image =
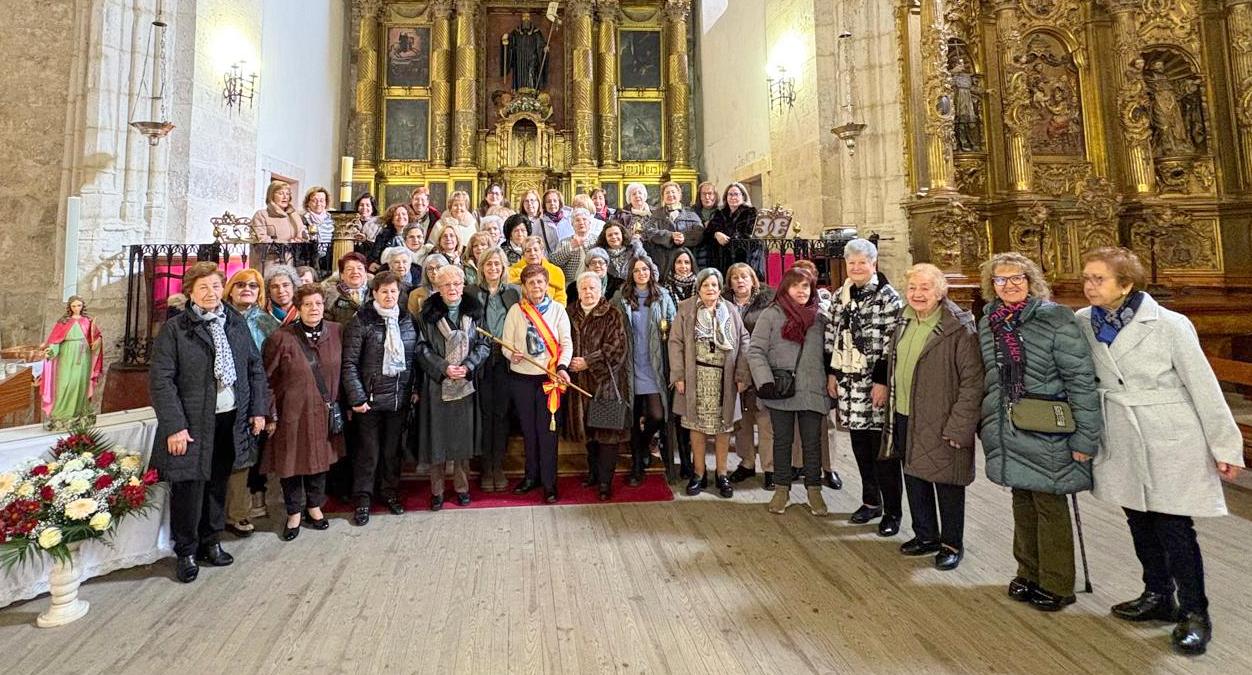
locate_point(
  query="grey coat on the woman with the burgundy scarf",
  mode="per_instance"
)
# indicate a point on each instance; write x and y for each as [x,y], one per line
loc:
[769,350]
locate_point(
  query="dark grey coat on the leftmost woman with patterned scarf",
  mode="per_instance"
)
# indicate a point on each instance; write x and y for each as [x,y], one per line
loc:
[185,394]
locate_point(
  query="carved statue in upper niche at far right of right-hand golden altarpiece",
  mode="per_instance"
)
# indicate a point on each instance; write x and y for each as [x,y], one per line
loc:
[1179,125]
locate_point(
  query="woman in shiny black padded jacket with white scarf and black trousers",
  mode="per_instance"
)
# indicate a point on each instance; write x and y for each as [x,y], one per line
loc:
[379,349]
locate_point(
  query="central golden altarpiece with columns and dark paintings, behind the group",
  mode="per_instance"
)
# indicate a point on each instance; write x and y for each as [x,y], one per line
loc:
[459,95]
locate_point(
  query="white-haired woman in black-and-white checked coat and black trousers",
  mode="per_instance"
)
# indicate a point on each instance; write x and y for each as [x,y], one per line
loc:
[862,319]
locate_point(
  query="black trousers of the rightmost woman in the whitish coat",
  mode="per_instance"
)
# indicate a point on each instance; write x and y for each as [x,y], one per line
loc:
[1167,549]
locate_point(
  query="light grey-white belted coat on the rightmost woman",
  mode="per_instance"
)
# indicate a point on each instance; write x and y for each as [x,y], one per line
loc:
[1166,420]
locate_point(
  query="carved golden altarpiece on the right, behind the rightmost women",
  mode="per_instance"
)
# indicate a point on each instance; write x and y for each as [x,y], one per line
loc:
[1055,127]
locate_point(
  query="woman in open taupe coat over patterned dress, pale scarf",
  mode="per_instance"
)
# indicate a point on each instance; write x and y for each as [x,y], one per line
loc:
[709,370]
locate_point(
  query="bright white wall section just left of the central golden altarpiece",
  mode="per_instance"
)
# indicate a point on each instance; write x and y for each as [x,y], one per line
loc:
[302,92]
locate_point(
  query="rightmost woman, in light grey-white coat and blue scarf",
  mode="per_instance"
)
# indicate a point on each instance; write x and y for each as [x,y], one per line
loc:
[1169,441]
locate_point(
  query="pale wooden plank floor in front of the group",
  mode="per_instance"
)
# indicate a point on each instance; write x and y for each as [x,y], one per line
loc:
[697,585]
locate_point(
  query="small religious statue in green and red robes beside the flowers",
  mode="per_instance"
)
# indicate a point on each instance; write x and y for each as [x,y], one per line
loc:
[73,363]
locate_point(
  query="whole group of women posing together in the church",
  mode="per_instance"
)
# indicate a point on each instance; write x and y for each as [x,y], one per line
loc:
[632,339]
